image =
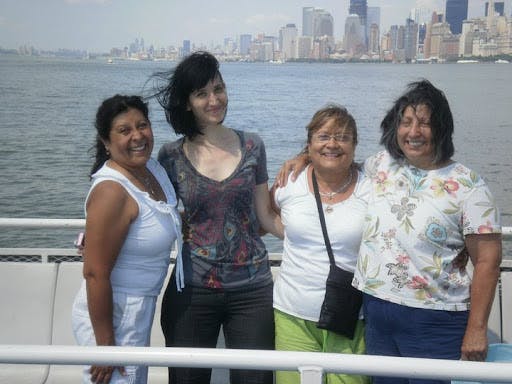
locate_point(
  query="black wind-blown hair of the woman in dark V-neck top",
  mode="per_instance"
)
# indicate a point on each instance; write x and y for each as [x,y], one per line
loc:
[174,88]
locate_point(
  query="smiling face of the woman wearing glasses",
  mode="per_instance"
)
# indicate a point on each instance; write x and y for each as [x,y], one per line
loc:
[332,147]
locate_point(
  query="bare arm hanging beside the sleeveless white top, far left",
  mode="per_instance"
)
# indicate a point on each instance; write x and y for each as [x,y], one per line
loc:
[110,211]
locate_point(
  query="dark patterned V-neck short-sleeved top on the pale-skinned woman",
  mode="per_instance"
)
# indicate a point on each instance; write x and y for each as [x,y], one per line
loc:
[223,248]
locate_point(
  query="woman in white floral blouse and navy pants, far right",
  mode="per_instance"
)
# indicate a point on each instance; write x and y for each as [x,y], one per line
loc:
[424,209]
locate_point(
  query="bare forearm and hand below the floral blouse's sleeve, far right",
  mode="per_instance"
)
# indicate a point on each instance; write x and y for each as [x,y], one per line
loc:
[485,253]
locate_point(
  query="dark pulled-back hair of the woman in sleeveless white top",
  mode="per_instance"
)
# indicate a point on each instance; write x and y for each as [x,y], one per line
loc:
[108,110]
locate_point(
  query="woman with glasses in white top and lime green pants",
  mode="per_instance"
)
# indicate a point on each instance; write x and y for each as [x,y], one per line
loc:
[299,289]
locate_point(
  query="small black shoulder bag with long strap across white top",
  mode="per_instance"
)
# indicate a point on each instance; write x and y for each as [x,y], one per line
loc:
[342,302]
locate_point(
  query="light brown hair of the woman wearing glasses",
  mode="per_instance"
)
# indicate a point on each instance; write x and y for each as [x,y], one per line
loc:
[339,114]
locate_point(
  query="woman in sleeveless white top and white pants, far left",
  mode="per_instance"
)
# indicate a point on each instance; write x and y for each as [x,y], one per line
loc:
[132,222]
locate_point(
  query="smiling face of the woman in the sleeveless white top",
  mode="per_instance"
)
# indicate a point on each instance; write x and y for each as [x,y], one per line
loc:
[130,140]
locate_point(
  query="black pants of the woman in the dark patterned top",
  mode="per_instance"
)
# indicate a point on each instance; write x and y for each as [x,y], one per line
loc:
[193,317]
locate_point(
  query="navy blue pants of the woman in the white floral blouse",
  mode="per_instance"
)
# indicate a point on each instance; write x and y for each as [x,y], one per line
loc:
[398,330]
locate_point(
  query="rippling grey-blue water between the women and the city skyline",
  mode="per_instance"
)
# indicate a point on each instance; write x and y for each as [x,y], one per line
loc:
[47,109]
